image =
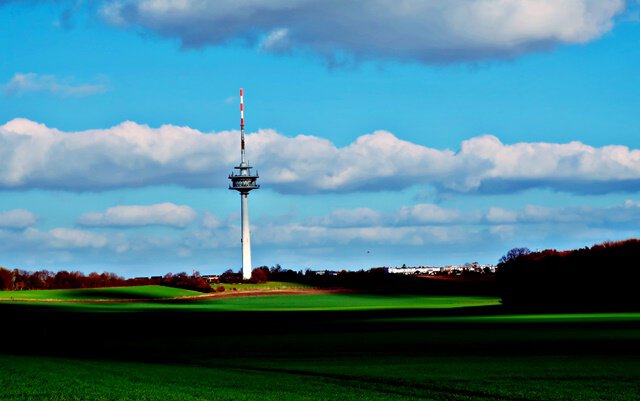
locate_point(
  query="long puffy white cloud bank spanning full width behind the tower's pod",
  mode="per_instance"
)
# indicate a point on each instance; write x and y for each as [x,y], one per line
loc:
[133,155]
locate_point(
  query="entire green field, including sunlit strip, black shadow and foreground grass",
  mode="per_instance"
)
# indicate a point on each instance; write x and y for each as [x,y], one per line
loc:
[308,347]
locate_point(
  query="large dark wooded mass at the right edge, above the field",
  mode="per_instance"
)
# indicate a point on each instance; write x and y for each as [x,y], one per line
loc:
[603,276]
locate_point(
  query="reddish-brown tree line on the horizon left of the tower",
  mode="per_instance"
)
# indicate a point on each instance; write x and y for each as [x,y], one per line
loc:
[18,279]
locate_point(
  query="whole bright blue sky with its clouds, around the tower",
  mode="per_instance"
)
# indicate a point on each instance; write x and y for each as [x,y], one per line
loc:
[417,133]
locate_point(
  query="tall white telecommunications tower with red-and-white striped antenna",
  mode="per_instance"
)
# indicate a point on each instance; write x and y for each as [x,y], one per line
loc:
[244,181]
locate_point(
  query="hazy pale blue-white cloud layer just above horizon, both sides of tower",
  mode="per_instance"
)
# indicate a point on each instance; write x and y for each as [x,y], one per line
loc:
[424,231]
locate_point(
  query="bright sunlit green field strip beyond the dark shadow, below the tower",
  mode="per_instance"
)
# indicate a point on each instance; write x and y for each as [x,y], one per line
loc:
[295,302]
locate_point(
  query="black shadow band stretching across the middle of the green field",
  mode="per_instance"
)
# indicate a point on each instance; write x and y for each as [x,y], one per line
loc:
[192,336]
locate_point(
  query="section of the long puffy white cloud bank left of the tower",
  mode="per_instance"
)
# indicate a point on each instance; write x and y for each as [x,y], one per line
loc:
[128,155]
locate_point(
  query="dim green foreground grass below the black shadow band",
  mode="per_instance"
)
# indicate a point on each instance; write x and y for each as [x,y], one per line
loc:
[441,378]
